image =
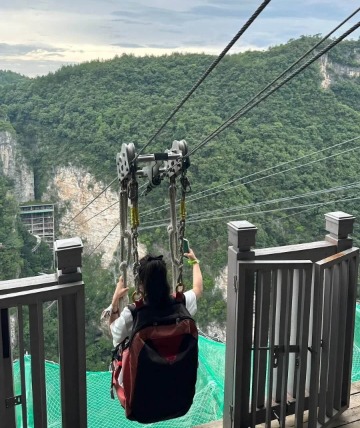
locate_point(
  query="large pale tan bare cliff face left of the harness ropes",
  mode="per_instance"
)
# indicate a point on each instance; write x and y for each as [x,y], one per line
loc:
[74,188]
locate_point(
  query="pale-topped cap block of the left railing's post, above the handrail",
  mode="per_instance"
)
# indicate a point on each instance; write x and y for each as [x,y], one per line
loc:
[68,254]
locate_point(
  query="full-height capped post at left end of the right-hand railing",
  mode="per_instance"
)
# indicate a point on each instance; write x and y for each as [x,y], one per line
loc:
[238,326]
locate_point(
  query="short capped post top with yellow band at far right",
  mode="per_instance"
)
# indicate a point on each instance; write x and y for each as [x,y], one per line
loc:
[340,226]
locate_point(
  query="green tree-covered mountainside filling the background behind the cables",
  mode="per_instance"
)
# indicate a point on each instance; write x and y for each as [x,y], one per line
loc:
[82,114]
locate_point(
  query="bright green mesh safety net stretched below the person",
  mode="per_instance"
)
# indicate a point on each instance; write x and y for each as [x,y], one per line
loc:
[103,412]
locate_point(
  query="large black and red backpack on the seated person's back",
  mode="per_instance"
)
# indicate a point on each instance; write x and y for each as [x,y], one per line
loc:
[159,363]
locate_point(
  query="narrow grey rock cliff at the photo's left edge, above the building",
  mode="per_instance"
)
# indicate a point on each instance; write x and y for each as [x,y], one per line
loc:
[14,166]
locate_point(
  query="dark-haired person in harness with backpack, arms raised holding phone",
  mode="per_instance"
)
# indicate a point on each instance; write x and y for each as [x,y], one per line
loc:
[156,373]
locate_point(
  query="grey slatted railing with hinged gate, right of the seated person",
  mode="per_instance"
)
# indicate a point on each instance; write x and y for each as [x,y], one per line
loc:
[290,327]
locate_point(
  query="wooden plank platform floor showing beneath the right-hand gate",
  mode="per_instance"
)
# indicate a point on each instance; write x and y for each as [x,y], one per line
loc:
[349,419]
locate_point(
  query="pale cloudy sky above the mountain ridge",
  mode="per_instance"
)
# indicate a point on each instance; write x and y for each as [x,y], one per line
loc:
[39,36]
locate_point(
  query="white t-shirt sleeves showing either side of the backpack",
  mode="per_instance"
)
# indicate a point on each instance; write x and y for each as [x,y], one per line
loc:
[121,328]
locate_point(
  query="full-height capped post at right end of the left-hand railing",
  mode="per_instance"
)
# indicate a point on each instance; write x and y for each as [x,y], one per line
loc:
[72,335]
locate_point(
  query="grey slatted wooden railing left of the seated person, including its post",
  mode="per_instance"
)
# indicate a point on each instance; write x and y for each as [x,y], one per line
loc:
[29,295]
